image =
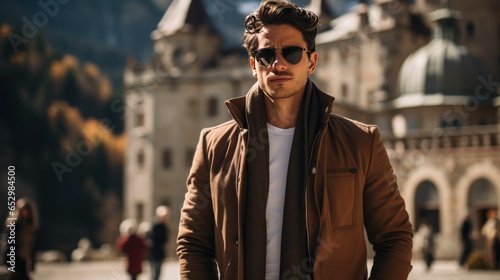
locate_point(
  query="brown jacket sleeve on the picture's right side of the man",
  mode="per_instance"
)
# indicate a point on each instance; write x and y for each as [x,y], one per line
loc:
[386,220]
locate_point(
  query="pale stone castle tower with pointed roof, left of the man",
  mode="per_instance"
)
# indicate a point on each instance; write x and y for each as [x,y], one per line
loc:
[170,99]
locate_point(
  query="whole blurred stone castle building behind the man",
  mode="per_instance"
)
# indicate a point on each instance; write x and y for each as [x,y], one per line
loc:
[426,73]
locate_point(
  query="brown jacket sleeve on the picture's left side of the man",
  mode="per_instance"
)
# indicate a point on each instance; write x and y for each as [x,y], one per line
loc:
[196,228]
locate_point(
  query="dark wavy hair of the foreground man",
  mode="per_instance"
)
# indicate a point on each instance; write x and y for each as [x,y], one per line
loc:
[280,12]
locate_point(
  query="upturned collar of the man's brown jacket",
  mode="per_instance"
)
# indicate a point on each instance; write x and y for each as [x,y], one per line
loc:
[239,107]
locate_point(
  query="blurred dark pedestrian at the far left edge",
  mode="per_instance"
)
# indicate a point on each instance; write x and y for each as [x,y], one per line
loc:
[24,226]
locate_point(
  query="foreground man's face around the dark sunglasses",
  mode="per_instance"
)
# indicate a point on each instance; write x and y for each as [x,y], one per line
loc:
[282,79]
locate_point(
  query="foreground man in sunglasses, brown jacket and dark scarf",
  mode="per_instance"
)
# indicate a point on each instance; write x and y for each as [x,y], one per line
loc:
[285,189]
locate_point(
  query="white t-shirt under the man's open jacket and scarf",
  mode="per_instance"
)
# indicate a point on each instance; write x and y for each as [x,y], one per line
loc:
[280,144]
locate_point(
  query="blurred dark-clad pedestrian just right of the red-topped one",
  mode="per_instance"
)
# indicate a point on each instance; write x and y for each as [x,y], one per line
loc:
[159,236]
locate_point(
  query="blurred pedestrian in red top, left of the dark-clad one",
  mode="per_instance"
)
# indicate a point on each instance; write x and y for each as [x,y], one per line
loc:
[133,246]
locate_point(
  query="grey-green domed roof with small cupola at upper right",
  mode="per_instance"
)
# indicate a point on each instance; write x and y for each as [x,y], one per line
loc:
[443,67]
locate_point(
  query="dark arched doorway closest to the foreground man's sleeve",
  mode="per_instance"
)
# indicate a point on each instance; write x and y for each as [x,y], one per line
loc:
[427,205]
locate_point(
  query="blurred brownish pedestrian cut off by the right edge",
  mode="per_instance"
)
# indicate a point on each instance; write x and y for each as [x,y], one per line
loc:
[491,232]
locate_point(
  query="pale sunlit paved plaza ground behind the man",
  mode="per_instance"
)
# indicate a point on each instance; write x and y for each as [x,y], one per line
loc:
[114,270]
